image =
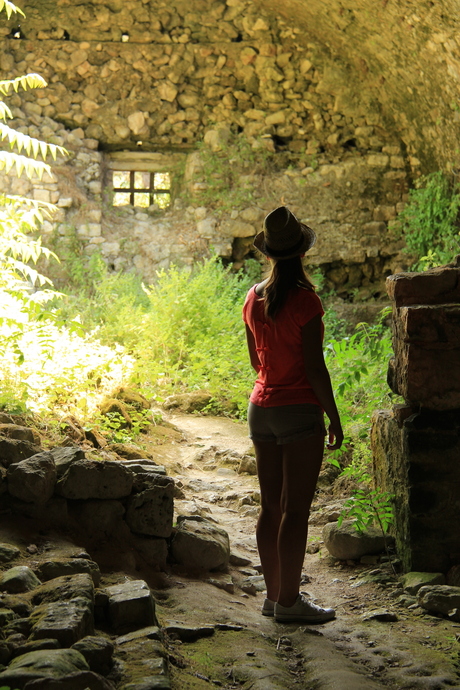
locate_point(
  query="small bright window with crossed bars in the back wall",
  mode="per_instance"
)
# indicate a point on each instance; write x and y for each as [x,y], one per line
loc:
[141,189]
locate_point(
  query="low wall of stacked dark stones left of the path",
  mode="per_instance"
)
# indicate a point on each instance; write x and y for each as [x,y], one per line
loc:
[128,499]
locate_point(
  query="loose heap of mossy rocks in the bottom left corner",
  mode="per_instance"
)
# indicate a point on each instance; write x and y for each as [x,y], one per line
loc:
[64,632]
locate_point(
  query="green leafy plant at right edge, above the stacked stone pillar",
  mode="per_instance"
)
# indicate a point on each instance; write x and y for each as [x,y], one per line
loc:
[430,221]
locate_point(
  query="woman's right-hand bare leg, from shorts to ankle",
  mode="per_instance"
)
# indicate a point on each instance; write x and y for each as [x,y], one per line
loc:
[301,465]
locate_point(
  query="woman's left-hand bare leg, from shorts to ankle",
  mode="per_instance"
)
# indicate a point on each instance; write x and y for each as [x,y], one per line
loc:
[269,457]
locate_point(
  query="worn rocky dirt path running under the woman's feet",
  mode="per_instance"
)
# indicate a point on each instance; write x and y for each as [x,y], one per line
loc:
[214,632]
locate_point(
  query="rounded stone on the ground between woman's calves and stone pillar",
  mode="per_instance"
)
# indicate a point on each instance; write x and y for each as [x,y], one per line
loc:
[345,542]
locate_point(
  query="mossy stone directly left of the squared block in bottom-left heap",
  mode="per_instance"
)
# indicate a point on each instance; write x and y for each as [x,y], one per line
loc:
[65,621]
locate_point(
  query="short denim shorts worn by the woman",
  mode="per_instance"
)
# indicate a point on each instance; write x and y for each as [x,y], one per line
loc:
[285,423]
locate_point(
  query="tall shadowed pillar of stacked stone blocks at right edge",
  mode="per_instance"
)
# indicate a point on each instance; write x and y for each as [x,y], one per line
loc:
[416,447]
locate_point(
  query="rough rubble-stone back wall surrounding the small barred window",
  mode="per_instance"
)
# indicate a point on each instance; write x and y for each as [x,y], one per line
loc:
[157,79]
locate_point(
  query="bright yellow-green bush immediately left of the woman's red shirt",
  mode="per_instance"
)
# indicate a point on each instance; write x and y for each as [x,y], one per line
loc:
[193,334]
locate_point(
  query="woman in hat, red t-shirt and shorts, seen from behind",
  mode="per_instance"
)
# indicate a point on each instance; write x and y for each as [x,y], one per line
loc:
[283,317]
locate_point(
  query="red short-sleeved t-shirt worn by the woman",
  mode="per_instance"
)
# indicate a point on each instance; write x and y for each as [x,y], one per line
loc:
[281,377]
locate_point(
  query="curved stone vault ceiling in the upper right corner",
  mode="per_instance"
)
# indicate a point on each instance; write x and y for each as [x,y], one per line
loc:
[398,56]
